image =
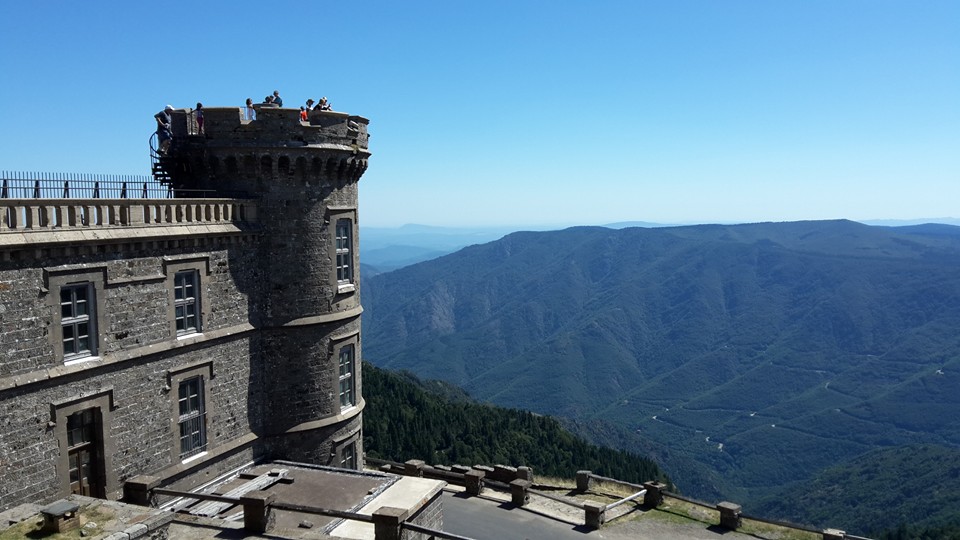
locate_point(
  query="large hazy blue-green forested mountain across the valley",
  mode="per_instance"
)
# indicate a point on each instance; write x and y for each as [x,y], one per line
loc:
[761,353]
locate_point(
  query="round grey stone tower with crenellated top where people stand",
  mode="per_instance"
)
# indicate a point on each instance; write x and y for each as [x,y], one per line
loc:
[307,305]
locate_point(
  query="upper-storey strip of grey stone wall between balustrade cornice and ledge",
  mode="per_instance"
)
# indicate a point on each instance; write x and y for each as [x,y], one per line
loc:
[133,300]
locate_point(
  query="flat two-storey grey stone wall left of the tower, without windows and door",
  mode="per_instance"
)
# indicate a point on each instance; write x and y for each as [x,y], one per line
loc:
[138,349]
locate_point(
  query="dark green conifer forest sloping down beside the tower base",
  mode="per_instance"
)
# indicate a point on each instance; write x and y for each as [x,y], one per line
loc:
[406,418]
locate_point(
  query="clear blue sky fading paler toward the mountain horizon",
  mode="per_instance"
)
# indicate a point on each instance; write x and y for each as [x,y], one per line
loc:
[548,112]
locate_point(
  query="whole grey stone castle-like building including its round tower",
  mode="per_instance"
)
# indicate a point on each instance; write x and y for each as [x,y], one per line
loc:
[187,337]
